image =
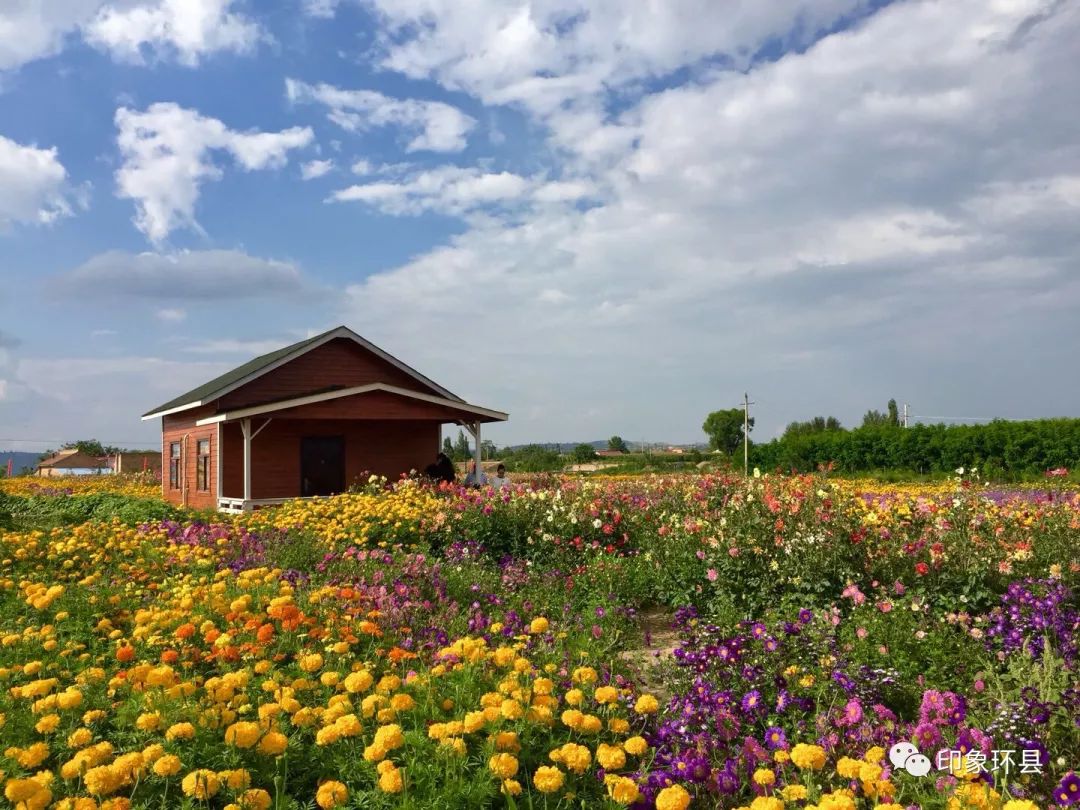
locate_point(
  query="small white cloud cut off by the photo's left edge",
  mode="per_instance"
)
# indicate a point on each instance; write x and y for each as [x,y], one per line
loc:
[34,187]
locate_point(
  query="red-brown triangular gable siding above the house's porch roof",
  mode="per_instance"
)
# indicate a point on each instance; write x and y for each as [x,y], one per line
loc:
[341,362]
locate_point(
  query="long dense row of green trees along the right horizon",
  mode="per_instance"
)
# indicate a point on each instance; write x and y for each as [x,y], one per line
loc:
[1001,450]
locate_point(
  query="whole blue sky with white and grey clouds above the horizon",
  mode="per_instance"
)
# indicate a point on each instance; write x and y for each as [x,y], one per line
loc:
[601,217]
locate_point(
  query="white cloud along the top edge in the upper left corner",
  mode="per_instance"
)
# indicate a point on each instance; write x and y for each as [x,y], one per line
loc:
[186,31]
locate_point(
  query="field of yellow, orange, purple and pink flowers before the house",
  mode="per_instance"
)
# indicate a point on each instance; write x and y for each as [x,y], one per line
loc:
[697,641]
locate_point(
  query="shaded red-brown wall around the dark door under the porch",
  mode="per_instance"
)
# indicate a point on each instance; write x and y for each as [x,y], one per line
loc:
[385,449]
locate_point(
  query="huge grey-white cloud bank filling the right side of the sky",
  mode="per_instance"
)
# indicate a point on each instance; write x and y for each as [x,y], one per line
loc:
[846,222]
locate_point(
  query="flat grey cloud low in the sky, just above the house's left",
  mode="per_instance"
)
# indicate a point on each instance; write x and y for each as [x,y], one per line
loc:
[193,276]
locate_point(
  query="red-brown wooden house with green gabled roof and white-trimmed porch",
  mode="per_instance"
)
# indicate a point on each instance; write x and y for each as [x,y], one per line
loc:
[309,420]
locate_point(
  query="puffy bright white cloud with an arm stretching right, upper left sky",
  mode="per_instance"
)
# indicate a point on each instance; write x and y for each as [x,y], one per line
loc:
[168,156]
